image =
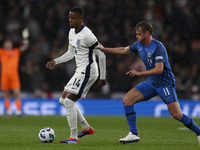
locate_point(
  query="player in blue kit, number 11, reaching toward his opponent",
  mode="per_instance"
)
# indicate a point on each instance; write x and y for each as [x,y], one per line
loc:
[160,80]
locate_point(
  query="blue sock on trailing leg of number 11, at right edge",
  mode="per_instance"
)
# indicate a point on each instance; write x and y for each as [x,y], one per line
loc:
[189,123]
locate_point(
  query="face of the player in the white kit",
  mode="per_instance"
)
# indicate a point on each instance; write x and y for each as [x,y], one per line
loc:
[75,20]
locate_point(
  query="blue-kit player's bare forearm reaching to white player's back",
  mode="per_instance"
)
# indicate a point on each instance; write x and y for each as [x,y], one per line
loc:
[117,50]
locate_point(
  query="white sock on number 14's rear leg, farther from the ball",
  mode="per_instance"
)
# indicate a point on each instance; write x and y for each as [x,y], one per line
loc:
[82,120]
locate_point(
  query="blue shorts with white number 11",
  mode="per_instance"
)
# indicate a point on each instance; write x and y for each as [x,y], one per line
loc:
[167,93]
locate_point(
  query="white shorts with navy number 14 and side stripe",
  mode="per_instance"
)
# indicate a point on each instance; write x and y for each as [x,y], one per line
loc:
[80,84]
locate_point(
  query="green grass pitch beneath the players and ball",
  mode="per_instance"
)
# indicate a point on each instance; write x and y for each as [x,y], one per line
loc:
[155,134]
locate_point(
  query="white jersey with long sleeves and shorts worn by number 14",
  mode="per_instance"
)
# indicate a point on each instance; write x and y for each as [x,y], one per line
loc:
[82,46]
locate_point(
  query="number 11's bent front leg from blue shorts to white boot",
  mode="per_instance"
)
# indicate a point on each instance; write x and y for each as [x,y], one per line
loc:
[141,92]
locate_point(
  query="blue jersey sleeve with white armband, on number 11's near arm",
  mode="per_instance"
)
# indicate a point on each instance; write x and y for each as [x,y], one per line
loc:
[159,54]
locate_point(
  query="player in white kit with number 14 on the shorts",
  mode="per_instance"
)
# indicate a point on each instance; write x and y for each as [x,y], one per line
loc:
[82,43]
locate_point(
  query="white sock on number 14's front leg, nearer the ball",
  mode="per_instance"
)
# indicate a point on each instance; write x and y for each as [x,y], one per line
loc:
[71,117]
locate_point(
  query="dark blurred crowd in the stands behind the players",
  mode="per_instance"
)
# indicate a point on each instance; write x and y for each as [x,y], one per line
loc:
[176,24]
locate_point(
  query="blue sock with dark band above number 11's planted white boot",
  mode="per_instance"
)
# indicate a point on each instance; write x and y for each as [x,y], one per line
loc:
[131,118]
